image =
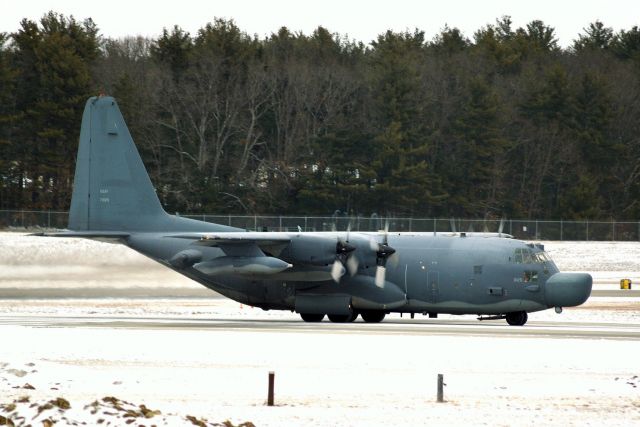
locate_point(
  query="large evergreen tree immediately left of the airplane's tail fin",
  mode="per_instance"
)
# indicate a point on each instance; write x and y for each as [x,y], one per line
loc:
[54,64]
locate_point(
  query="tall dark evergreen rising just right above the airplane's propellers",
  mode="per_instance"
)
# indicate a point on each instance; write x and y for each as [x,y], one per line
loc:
[404,183]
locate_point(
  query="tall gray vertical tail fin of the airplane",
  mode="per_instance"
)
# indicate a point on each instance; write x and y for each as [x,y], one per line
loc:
[112,190]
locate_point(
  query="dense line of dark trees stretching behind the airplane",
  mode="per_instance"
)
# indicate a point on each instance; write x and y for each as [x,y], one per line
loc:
[506,123]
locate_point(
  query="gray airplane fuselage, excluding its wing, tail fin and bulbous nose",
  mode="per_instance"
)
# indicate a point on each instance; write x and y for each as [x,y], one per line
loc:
[444,273]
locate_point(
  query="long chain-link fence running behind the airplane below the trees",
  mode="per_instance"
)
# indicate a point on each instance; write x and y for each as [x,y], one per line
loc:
[520,229]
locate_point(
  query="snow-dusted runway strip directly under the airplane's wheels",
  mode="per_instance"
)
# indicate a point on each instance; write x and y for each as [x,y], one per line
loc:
[591,330]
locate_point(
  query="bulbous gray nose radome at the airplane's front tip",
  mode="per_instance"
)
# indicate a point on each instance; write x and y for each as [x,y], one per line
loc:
[567,289]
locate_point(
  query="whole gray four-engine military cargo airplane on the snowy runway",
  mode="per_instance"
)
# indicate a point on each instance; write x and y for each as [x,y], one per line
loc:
[341,275]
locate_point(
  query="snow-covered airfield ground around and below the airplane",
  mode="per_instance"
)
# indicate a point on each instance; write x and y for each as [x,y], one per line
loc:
[328,375]
